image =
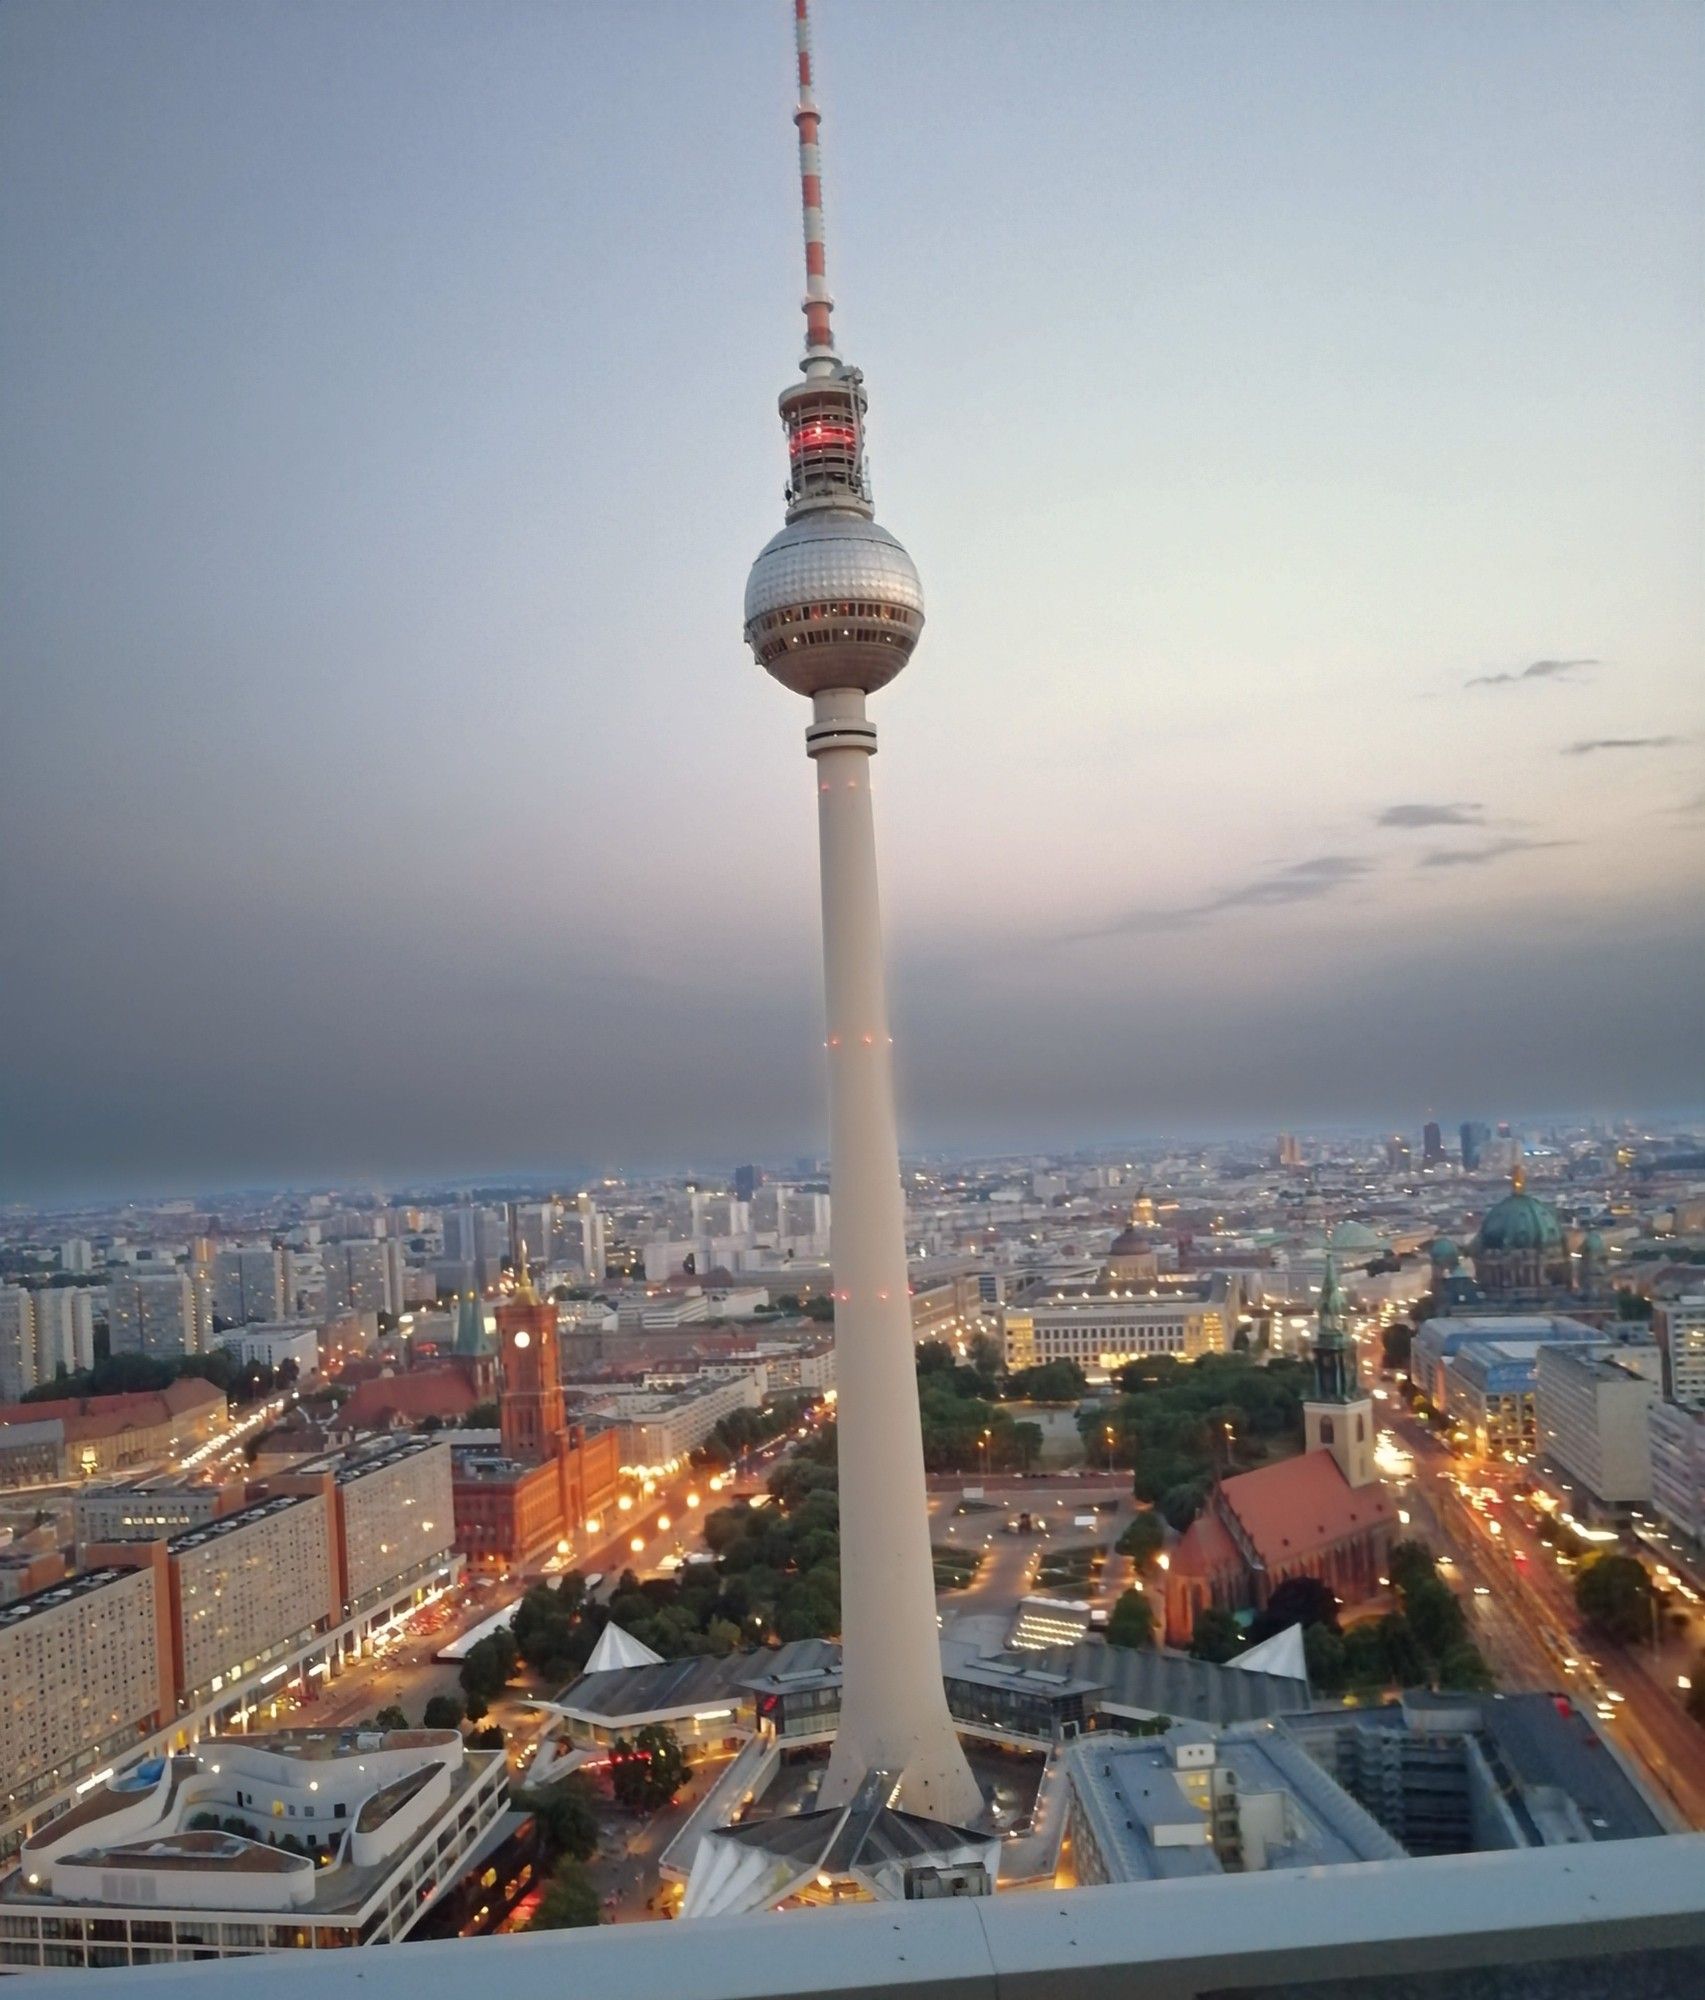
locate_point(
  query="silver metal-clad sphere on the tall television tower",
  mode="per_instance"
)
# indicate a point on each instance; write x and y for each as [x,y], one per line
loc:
[833,603]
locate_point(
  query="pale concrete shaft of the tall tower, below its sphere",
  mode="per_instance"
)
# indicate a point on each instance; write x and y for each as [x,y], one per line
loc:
[894,1707]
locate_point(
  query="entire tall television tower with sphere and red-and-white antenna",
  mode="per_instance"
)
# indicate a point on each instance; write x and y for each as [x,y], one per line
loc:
[833,611]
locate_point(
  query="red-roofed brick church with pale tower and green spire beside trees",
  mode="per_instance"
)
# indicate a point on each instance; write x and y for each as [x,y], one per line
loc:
[1322,1515]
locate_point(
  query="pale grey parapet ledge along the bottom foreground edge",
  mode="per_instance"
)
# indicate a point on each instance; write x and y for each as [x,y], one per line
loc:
[1522,1925]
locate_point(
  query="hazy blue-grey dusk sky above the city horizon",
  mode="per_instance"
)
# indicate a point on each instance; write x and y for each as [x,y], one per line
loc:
[1296,417]
